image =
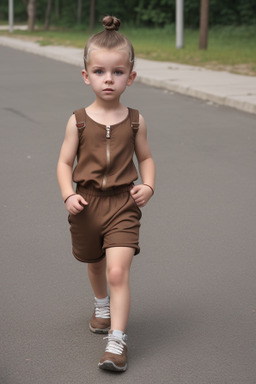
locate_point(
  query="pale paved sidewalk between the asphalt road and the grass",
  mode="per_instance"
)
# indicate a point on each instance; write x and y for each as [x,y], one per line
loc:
[215,86]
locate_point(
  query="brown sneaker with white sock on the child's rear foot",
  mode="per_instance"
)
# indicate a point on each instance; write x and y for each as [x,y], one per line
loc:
[100,321]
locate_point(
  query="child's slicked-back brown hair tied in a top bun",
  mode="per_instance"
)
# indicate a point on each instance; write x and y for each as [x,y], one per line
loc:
[109,39]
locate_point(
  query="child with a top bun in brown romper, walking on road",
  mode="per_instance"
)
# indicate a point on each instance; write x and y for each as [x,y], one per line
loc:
[104,212]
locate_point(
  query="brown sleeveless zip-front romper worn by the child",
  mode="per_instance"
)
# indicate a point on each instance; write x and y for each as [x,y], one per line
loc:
[104,174]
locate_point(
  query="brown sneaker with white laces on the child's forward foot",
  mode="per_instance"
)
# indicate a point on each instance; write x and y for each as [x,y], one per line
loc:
[115,356]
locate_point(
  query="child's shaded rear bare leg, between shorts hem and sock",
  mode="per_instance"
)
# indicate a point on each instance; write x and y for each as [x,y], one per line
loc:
[97,276]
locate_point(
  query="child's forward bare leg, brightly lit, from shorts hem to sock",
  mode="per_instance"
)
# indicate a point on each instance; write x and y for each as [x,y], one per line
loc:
[118,270]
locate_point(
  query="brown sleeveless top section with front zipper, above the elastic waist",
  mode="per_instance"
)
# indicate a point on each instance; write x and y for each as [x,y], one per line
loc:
[105,153]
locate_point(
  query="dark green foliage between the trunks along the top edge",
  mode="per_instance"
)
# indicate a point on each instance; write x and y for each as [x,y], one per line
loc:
[157,13]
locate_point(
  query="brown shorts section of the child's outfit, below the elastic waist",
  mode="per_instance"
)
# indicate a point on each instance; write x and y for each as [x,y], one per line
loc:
[111,219]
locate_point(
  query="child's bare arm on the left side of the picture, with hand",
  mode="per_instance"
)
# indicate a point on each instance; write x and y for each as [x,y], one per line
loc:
[65,168]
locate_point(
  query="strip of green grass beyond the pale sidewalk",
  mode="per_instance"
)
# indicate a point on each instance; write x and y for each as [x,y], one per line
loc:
[229,48]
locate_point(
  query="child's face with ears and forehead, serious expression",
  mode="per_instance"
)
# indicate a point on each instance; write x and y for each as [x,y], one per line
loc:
[108,73]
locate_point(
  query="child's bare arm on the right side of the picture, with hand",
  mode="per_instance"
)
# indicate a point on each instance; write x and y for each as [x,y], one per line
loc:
[143,192]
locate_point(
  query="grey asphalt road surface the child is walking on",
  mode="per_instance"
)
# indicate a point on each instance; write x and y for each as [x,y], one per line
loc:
[193,317]
